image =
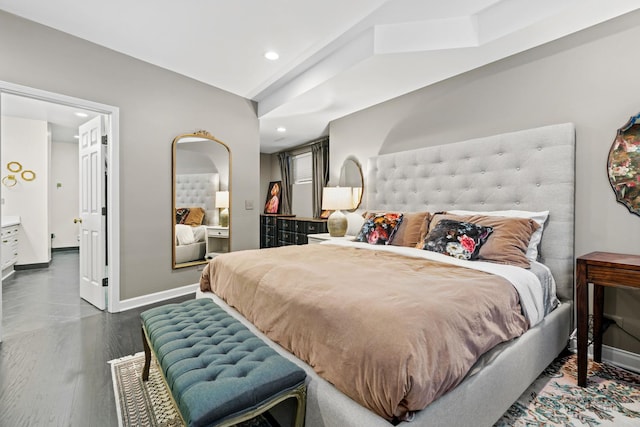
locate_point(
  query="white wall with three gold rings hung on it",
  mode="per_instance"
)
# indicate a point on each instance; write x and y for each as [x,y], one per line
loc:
[26,141]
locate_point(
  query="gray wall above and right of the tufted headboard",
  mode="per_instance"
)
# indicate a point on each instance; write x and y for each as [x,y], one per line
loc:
[589,78]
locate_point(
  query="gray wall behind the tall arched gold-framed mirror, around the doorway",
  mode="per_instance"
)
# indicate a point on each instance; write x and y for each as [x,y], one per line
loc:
[155,106]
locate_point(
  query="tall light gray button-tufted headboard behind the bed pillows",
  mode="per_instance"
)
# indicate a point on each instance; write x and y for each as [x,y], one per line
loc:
[527,170]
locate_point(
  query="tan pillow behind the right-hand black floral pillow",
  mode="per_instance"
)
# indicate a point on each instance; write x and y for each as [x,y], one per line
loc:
[507,244]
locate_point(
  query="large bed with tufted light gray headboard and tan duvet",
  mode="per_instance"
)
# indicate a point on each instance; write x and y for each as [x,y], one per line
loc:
[530,171]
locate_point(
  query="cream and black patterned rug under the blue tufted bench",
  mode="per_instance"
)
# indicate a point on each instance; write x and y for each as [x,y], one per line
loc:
[149,403]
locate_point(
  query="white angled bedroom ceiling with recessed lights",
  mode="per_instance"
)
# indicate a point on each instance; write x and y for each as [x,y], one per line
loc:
[336,57]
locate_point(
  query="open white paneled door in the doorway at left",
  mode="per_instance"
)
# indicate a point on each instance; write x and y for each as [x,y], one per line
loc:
[92,219]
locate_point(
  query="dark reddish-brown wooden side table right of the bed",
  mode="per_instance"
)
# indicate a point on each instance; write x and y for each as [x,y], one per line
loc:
[602,269]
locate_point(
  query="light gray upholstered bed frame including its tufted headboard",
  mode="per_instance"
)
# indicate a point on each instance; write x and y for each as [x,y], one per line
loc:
[527,170]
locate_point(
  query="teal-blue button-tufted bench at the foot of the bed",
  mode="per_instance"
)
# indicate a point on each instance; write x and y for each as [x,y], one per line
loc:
[218,371]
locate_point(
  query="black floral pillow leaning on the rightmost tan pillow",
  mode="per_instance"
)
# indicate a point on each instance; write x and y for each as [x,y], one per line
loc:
[457,239]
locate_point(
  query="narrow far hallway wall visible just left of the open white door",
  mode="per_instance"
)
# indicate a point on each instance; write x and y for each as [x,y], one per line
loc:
[64,194]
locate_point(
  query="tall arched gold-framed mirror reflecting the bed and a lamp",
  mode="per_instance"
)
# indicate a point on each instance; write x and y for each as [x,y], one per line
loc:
[201,199]
